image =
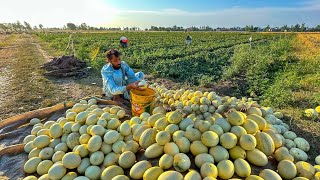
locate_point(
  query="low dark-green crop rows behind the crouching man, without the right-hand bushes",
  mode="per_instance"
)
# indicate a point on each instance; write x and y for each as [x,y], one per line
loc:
[163,54]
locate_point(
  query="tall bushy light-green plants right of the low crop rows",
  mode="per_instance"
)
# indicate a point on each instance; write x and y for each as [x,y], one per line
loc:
[259,64]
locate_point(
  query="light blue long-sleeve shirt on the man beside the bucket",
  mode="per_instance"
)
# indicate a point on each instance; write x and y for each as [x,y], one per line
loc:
[115,81]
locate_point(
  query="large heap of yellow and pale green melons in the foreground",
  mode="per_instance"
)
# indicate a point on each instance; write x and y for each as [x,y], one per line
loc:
[205,137]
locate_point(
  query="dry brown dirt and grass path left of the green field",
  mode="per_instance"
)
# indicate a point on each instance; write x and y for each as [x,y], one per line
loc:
[24,88]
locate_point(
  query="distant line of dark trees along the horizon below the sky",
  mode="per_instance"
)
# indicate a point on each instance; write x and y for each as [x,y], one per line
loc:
[26,27]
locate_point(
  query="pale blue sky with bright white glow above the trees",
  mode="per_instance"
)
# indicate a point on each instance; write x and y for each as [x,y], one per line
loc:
[166,13]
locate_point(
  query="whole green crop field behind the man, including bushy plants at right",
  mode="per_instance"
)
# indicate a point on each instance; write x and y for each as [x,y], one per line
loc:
[266,68]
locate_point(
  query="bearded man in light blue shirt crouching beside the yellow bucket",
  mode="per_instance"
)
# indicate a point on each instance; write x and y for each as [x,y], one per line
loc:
[118,78]
